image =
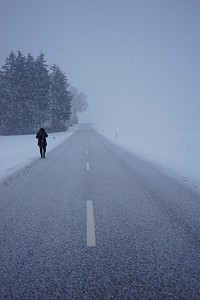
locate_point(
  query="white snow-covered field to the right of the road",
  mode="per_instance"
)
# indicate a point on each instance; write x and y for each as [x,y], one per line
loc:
[175,153]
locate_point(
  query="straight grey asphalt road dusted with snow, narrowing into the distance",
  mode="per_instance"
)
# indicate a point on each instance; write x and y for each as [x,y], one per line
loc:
[92,221]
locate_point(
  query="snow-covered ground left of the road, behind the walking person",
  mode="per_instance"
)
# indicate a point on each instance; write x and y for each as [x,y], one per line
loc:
[20,150]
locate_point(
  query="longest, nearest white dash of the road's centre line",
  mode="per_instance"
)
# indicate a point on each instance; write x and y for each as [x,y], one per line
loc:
[91,240]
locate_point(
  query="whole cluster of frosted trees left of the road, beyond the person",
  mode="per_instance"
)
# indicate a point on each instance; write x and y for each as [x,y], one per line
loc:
[34,95]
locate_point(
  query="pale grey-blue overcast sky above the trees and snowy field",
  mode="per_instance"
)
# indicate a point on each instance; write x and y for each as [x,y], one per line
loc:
[137,60]
